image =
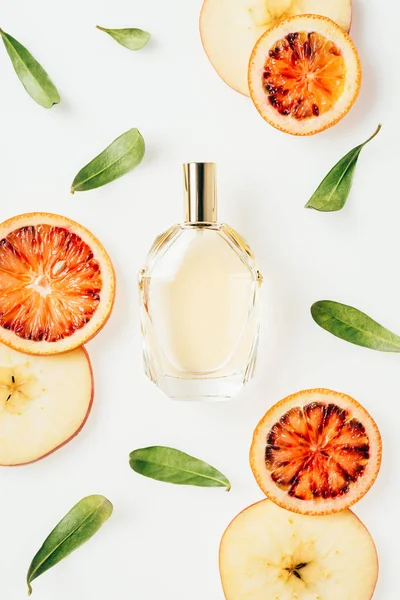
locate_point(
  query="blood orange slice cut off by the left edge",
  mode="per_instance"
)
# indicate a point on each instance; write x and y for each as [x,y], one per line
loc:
[57,284]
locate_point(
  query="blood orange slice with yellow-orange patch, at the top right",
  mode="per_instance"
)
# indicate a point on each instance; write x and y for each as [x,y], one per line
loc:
[304,75]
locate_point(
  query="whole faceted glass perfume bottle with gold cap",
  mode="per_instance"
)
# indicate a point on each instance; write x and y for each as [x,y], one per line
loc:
[199,296]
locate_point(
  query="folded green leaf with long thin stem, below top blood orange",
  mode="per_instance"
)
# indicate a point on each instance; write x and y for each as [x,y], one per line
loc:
[334,190]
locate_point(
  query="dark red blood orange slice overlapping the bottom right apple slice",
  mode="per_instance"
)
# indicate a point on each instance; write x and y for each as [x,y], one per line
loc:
[316,452]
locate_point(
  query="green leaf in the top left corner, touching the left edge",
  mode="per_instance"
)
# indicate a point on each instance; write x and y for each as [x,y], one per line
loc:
[31,74]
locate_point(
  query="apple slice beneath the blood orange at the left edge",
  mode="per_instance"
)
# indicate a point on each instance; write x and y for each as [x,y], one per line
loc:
[44,402]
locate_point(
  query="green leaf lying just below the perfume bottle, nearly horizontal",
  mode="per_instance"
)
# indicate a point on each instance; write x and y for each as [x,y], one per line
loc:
[174,466]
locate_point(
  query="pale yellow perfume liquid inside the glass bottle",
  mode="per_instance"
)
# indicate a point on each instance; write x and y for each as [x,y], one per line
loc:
[200,303]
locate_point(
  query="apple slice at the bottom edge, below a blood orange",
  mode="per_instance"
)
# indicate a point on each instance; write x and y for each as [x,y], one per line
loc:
[268,553]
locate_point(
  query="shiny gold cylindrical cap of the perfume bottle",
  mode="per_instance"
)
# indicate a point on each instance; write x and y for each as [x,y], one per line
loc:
[200,193]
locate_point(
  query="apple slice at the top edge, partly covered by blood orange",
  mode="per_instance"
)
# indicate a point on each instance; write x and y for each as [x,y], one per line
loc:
[230,29]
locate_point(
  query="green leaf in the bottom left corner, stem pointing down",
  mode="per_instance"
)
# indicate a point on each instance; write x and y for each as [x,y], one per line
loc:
[76,528]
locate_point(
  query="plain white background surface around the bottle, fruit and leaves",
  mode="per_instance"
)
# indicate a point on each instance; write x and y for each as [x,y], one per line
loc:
[162,541]
